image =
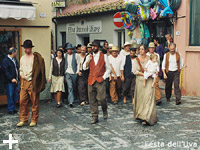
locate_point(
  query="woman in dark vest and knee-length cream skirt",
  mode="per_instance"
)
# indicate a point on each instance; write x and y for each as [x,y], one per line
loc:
[56,75]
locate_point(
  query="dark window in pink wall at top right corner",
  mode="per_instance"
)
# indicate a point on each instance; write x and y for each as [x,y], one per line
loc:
[194,23]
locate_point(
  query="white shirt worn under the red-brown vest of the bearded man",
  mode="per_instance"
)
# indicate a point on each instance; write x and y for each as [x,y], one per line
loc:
[96,59]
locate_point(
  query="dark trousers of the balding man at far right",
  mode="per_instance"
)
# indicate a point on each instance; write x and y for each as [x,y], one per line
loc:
[173,76]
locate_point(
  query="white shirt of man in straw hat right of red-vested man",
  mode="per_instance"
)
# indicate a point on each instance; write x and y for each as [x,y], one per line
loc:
[117,64]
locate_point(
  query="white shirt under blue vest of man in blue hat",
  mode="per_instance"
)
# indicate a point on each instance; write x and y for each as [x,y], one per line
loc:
[69,61]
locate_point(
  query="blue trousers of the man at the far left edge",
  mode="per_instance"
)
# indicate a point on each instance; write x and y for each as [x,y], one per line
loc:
[12,95]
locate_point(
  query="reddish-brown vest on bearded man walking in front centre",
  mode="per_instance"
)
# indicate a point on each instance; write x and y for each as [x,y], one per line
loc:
[97,72]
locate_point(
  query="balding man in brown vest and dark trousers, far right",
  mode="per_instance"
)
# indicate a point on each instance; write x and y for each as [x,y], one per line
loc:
[171,66]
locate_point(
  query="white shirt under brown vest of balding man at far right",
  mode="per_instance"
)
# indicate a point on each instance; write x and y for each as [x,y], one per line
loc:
[172,62]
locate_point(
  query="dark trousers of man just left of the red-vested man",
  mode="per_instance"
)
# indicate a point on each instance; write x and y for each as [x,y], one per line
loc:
[83,88]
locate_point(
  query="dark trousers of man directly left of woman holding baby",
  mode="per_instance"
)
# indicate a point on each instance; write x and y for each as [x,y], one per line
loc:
[128,86]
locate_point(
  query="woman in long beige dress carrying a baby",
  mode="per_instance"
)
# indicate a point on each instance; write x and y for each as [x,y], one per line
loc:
[144,100]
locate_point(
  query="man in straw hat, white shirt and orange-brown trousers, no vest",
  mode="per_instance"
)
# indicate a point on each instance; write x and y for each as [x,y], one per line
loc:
[115,61]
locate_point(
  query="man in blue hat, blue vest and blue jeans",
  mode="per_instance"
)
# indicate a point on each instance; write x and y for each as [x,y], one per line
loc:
[71,70]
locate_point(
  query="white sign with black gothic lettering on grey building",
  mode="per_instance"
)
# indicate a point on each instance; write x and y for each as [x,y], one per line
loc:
[86,27]
